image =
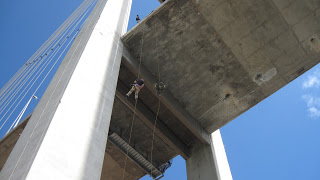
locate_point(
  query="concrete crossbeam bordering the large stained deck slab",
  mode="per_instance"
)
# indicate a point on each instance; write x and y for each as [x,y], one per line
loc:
[167,98]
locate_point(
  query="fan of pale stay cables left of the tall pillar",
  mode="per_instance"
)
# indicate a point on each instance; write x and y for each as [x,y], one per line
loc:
[35,72]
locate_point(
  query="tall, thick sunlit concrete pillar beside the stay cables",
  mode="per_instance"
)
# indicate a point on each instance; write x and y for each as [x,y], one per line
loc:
[67,133]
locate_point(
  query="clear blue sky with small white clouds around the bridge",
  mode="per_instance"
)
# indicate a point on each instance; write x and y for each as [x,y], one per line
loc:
[277,139]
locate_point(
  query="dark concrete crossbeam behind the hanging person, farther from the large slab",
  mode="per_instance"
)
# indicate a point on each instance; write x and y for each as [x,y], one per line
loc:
[148,117]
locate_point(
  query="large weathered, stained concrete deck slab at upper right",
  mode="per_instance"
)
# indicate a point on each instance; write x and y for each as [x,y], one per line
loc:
[220,58]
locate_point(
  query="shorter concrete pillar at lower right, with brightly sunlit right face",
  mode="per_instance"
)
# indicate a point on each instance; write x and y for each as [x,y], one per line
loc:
[209,162]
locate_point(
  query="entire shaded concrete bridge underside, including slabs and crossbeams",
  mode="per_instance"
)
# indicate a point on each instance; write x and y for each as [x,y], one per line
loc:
[218,59]
